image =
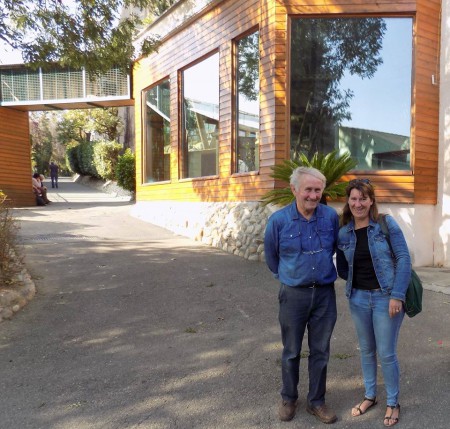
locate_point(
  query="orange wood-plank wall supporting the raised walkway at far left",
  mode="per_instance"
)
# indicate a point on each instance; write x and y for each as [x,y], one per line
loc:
[15,157]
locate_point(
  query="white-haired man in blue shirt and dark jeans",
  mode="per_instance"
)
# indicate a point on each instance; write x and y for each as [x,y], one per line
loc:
[300,241]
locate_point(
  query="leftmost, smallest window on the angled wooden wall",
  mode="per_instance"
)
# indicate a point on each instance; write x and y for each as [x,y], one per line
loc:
[157,133]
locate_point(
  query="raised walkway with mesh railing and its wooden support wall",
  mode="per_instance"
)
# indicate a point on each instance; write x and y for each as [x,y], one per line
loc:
[22,90]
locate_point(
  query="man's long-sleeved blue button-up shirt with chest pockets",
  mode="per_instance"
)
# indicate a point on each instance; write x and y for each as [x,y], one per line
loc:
[300,251]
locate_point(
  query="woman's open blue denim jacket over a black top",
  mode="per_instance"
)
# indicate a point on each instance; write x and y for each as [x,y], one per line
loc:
[393,270]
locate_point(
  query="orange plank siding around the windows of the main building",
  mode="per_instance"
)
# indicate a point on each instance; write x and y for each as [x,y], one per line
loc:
[216,29]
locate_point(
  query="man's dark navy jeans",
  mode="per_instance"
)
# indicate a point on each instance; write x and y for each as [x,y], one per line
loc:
[302,308]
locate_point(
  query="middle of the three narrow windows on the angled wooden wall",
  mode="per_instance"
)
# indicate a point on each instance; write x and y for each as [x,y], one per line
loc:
[201,118]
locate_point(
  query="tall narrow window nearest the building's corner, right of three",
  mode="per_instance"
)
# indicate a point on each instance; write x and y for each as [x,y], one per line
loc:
[247,150]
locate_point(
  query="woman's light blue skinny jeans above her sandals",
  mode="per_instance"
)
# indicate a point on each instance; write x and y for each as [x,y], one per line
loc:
[377,333]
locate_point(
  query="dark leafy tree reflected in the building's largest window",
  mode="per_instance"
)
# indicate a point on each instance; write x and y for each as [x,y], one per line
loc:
[322,50]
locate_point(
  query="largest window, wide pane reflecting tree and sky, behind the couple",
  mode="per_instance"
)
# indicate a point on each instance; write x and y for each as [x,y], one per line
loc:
[351,89]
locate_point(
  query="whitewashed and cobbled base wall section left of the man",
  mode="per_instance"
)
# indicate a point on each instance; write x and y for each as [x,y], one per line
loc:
[235,227]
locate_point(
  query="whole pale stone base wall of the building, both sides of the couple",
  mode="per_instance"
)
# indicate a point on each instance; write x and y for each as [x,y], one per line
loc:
[239,227]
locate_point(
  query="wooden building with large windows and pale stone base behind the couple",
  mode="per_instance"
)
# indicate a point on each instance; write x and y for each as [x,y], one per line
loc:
[237,87]
